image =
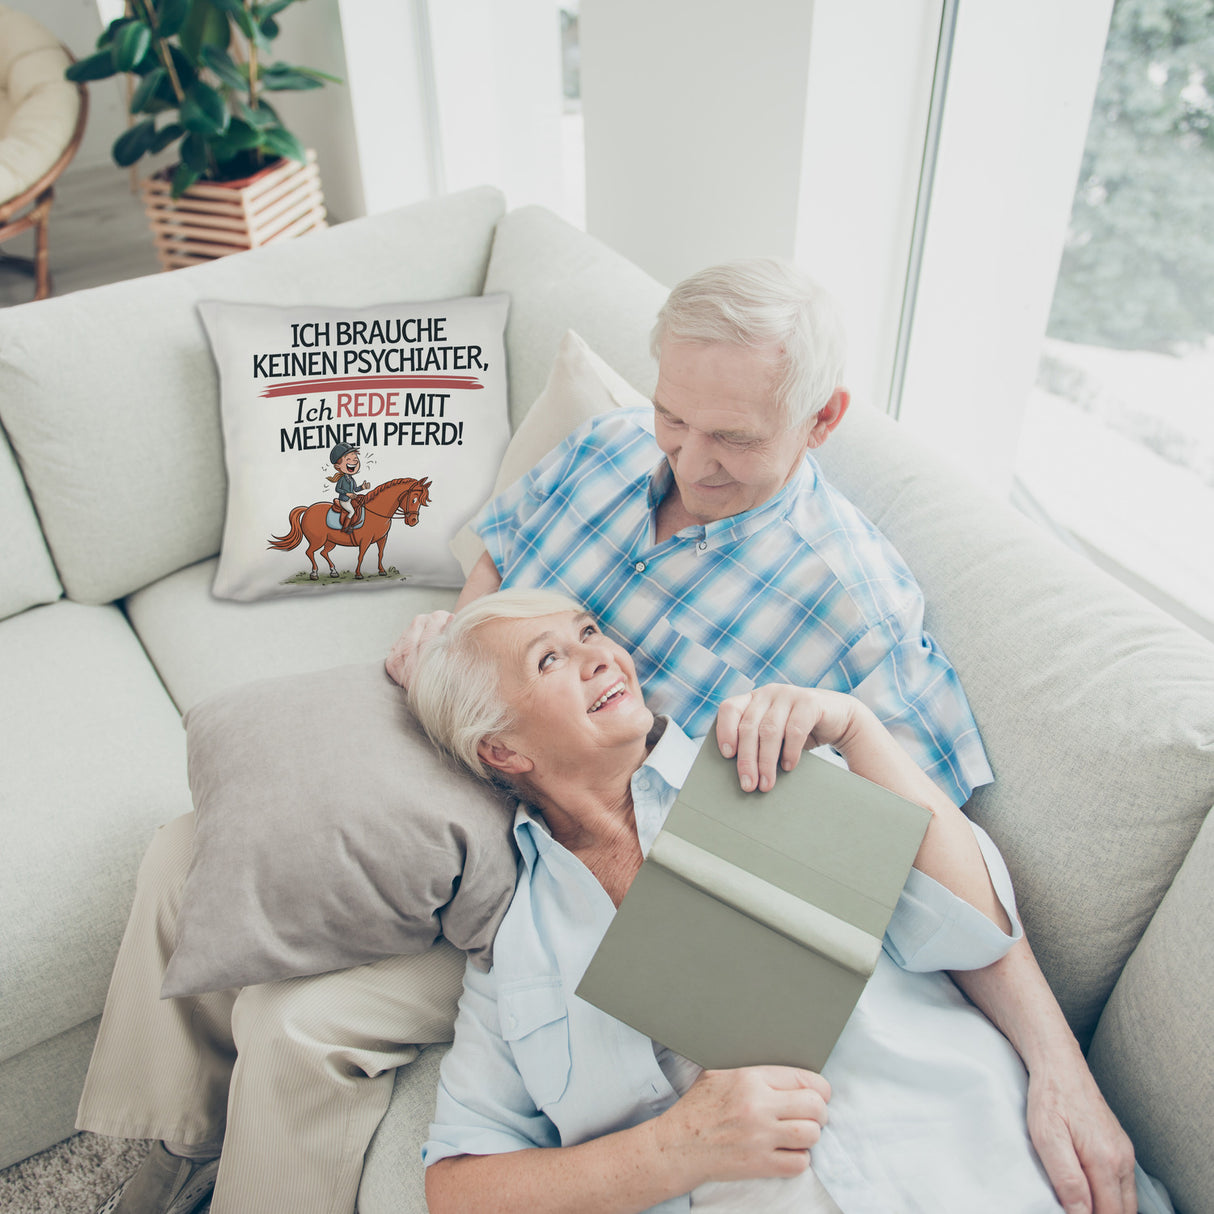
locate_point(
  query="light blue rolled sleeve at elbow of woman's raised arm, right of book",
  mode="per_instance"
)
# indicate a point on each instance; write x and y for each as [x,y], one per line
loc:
[933,929]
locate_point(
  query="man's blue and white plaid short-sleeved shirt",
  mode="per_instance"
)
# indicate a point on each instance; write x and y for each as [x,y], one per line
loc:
[803,591]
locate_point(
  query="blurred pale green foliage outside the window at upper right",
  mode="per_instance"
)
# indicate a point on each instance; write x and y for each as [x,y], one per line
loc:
[1138,273]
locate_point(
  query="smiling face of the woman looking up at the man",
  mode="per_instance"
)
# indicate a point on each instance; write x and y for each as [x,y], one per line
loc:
[574,693]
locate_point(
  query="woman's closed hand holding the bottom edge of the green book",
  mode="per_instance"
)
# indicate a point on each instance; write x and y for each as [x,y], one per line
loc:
[757,1121]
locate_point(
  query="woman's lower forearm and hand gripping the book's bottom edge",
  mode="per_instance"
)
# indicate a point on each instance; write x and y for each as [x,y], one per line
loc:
[729,1126]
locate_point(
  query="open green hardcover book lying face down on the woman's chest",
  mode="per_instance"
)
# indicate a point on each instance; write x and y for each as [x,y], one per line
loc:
[756,921]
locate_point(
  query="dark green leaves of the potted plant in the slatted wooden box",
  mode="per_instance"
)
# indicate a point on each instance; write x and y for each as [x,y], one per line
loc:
[202,70]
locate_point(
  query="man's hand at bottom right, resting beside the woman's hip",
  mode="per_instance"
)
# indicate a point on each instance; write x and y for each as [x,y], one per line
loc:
[1086,1153]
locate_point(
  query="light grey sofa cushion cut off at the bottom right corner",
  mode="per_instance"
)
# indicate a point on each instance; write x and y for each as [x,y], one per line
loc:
[1153,1054]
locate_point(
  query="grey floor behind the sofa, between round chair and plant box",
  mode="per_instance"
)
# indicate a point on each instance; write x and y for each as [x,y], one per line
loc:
[98,235]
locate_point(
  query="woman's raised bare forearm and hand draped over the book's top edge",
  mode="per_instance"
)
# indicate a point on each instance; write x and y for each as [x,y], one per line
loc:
[770,728]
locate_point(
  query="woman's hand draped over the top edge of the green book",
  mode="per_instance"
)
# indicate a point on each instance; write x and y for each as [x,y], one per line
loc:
[773,725]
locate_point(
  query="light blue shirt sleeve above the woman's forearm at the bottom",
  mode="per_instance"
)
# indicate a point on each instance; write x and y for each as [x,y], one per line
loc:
[484,1108]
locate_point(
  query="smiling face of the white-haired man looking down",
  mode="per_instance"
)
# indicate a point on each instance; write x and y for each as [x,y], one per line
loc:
[718,423]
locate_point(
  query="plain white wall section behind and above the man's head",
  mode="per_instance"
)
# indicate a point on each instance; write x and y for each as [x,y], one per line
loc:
[695,122]
